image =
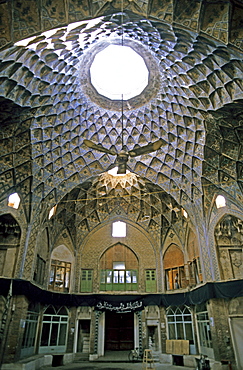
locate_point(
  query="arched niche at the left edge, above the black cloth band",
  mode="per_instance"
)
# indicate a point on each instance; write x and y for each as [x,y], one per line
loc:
[10,234]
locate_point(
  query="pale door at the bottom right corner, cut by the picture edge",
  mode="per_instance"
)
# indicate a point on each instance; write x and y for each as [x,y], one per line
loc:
[237,336]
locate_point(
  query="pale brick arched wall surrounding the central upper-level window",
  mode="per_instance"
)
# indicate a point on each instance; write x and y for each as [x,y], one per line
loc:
[100,240]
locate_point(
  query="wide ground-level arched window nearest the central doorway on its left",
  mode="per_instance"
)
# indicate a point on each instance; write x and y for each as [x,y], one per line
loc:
[54,330]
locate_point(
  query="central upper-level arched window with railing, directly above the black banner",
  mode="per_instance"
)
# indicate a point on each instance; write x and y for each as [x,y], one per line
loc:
[118,269]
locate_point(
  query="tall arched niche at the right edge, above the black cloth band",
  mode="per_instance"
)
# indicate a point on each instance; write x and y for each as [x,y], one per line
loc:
[228,235]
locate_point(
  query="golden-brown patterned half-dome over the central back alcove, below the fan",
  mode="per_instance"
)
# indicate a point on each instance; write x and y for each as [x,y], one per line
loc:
[128,196]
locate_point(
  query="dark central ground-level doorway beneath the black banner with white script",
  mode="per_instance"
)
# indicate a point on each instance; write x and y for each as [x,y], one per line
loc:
[119,331]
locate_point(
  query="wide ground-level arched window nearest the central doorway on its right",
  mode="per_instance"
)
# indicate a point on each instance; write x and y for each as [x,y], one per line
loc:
[179,323]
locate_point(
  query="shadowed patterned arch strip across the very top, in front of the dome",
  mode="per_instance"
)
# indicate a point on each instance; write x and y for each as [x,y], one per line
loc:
[219,20]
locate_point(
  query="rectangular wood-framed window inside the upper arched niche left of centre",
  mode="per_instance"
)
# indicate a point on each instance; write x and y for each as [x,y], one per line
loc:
[60,275]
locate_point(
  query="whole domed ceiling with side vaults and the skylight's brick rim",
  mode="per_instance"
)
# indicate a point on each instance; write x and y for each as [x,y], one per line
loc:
[193,103]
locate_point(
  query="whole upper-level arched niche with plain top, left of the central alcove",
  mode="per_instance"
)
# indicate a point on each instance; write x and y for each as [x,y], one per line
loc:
[61,269]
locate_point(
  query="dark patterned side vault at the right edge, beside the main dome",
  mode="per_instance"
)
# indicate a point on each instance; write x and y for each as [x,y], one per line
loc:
[223,165]
